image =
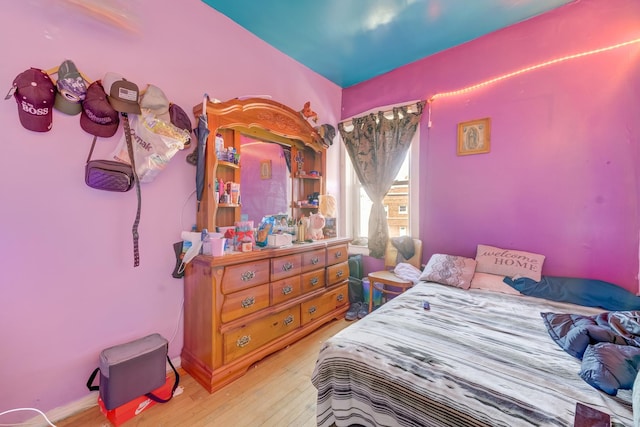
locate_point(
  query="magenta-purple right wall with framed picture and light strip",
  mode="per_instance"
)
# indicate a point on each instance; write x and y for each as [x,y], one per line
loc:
[562,178]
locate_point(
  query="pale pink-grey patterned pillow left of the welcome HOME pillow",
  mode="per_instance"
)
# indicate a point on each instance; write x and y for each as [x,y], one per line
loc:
[449,270]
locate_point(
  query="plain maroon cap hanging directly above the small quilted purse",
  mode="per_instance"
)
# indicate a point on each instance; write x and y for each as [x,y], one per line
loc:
[98,117]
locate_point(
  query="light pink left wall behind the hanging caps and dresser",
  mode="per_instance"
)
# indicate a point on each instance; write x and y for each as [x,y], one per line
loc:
[68,285]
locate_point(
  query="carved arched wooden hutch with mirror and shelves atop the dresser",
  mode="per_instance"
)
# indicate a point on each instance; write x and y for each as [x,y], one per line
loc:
[268,127]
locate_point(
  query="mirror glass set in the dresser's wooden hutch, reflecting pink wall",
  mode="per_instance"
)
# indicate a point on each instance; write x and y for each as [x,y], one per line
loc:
[264,193]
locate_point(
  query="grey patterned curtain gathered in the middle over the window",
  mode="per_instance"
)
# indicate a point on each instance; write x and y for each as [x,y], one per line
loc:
[377,146]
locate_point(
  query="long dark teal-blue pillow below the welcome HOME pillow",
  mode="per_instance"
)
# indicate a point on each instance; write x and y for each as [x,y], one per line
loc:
[586,292]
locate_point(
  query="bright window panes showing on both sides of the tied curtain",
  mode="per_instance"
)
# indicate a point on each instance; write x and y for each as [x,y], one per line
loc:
[401,202]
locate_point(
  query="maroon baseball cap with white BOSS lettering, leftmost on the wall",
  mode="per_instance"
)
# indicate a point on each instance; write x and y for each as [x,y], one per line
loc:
[35,94]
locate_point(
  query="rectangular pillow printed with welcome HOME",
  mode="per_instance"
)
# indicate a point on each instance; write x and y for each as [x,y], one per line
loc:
[509,262]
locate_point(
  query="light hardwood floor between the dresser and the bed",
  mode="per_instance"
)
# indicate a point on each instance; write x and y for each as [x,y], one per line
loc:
[276,391]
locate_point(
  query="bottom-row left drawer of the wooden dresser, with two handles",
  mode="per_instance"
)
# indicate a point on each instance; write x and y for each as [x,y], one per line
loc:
[253,335]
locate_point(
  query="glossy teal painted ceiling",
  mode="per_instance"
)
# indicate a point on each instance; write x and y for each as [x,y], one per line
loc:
[349,41]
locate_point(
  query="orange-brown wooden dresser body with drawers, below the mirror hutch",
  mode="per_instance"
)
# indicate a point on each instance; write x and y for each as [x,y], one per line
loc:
[242,307]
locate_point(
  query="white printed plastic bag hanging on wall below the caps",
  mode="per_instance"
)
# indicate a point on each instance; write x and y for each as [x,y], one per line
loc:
[155,142]
